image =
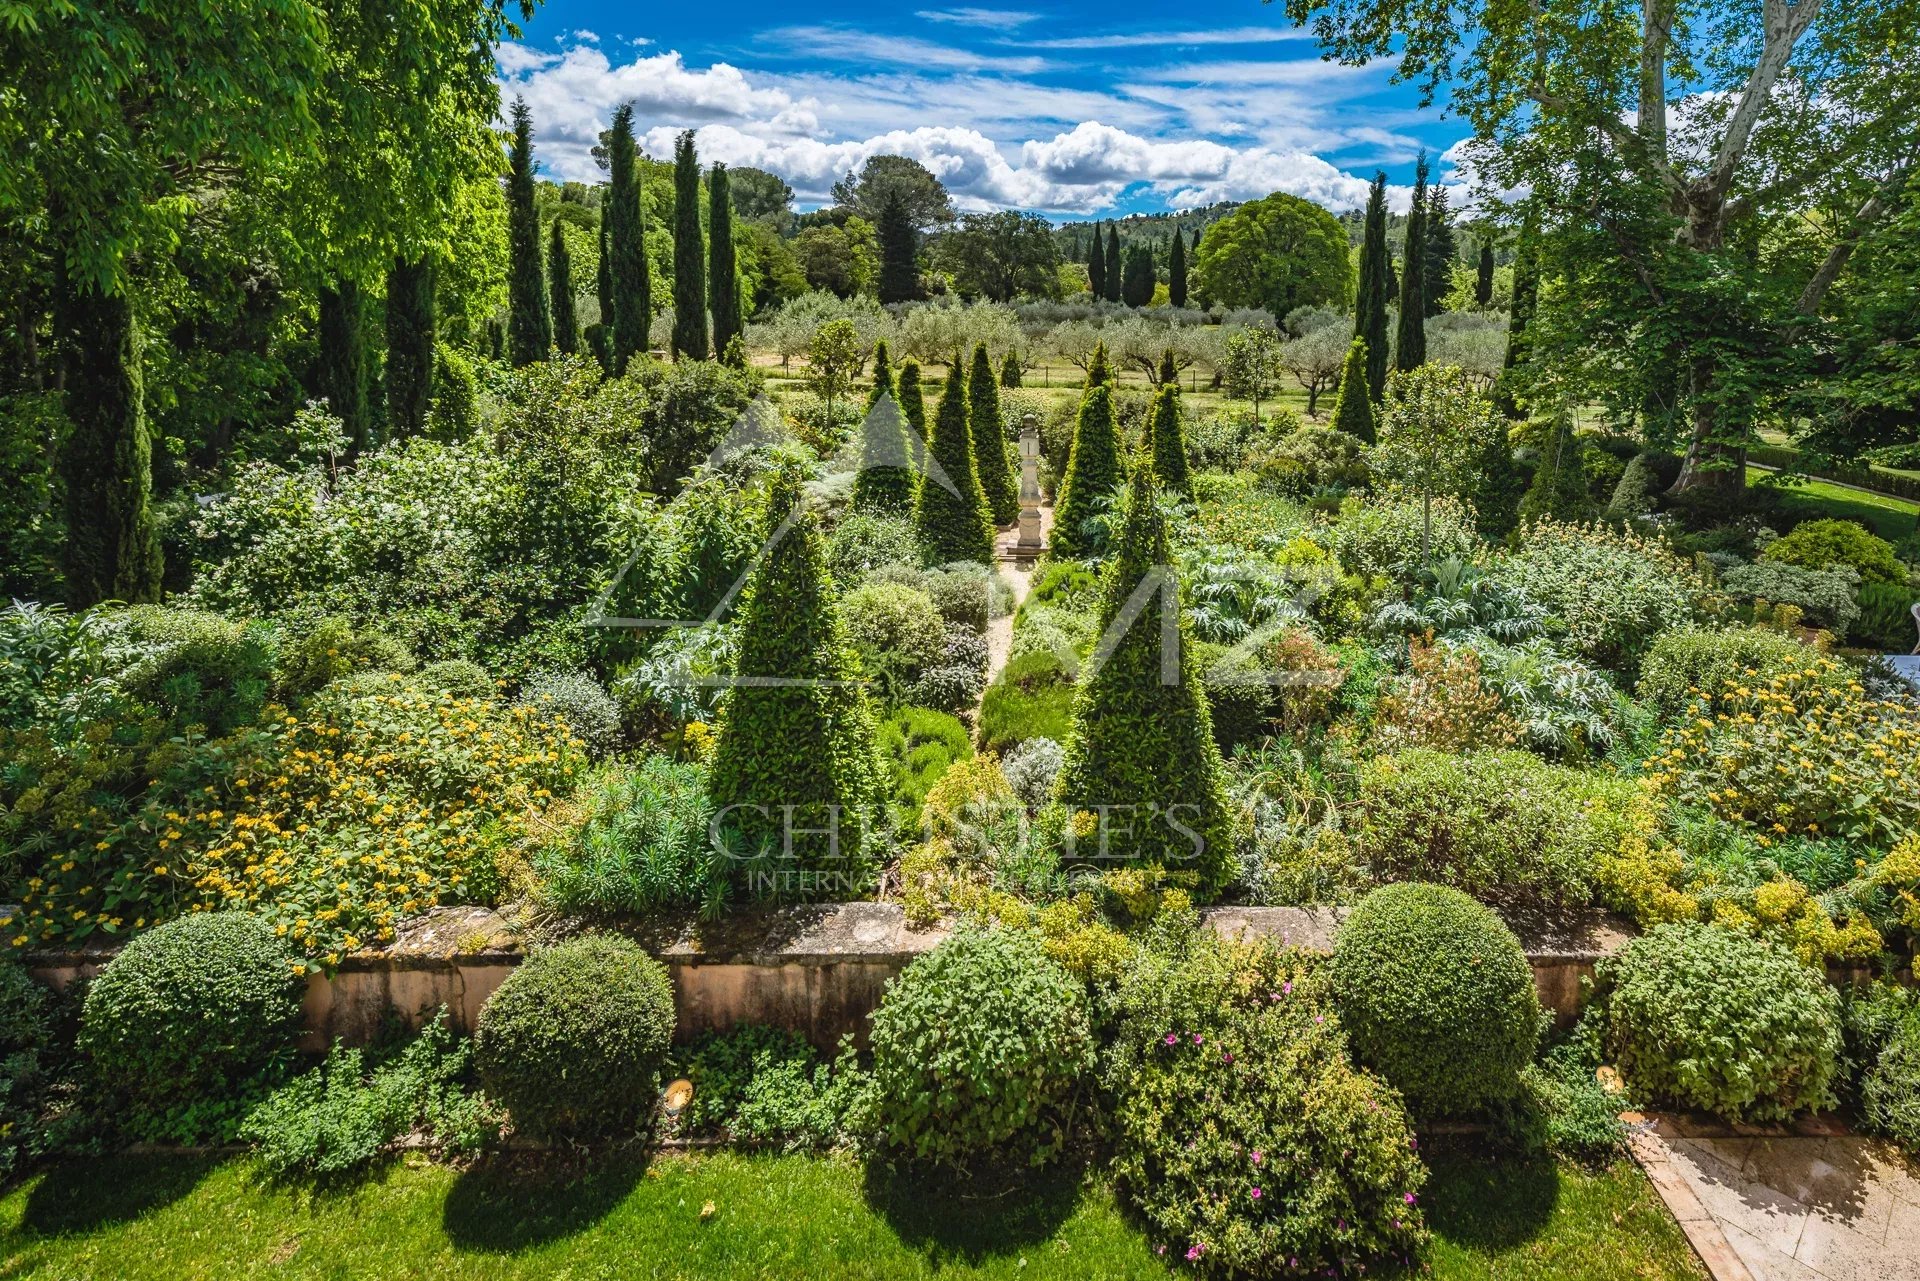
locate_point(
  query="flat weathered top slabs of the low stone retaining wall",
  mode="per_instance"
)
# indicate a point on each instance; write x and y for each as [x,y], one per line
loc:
[855,934]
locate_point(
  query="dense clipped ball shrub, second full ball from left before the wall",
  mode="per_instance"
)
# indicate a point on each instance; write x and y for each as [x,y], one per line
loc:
[575,1040]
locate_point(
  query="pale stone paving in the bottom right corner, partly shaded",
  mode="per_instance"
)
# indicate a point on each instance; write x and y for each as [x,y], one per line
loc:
[1802,1203]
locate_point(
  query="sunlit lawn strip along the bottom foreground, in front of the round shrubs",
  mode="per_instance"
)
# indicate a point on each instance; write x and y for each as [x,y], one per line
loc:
[773,1217]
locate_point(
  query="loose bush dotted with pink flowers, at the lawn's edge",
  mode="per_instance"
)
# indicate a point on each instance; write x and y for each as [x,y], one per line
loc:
[1245,1136]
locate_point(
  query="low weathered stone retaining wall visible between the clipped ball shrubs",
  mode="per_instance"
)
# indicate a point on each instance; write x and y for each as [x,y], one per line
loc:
[819,971]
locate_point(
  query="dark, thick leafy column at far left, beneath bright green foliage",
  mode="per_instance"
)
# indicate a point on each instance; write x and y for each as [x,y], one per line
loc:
[112,548]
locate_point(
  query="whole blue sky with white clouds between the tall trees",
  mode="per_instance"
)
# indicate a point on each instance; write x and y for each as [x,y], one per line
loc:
[1076,110]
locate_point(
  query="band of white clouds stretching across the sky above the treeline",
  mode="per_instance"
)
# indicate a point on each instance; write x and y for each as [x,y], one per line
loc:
[990,149]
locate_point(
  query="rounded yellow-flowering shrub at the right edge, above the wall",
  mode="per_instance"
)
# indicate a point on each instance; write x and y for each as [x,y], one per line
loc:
[1798,756]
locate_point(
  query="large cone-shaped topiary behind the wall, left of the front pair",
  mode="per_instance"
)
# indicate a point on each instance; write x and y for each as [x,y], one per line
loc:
[796,752]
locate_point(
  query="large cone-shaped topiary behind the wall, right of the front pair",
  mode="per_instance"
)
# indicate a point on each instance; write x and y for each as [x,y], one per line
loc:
[1141,760]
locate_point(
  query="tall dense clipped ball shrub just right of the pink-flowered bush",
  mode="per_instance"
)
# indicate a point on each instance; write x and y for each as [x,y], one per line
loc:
[1437,998]
